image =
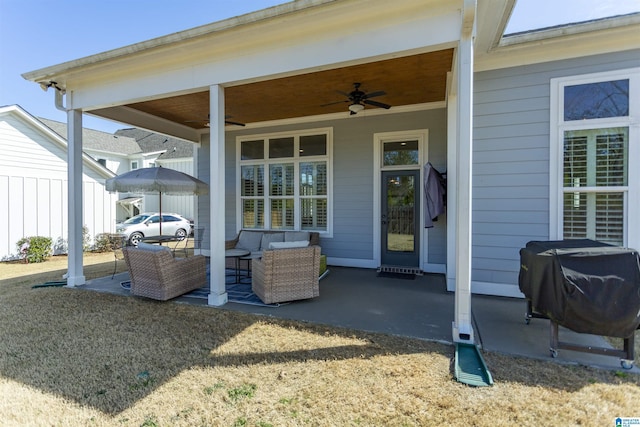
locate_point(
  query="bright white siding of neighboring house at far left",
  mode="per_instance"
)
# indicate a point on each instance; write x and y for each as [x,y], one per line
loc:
[33,188]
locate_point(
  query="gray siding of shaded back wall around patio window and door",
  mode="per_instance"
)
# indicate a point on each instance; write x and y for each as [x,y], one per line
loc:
[353,199]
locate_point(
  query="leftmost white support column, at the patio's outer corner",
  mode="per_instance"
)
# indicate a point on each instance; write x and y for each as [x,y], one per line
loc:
[75,275]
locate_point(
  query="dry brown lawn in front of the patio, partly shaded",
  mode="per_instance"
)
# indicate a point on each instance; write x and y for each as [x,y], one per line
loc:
[71,357]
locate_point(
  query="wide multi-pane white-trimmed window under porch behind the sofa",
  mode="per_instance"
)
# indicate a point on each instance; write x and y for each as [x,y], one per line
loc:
[285,181]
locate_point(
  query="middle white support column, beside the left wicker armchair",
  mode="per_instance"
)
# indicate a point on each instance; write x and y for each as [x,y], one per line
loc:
[217,294]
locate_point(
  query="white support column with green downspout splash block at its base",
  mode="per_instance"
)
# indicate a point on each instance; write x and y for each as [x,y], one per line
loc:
[463,325]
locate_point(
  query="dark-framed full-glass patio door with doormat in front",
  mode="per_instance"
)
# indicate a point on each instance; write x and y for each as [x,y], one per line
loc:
[400,221]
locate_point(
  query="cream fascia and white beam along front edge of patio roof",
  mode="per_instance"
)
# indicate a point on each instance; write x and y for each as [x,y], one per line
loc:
[333,34]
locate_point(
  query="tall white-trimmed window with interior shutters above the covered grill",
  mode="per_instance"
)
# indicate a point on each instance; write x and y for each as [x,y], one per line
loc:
[595,135]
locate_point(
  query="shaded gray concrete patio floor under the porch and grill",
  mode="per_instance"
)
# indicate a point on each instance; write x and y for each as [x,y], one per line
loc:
[422,308]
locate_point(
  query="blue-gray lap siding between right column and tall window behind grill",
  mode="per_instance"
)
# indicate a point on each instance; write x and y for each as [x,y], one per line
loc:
[511,162]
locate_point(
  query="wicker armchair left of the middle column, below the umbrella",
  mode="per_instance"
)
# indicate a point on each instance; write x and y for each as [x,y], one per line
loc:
[156,274]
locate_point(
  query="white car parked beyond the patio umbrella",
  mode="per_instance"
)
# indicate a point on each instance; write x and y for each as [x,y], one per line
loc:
[148,224]
